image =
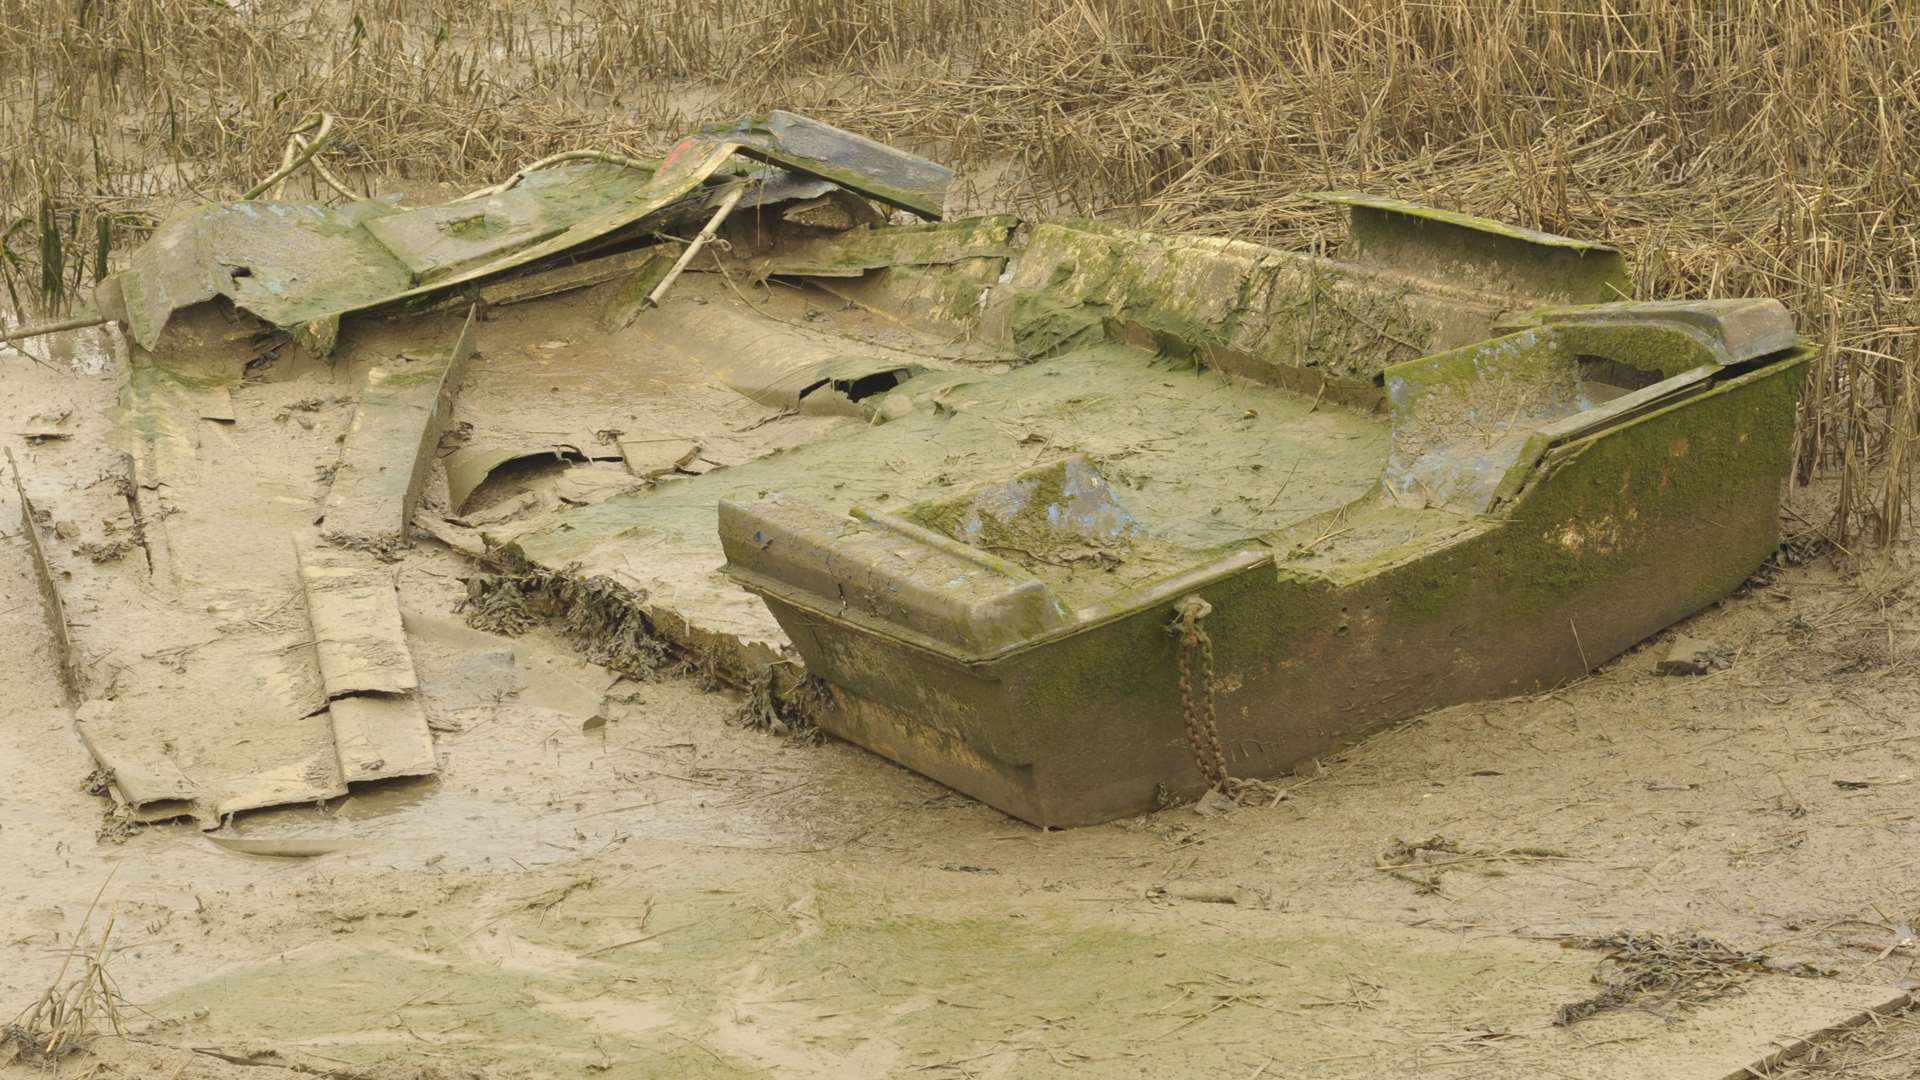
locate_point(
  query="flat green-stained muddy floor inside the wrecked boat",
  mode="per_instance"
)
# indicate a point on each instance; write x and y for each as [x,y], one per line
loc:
[1141,422]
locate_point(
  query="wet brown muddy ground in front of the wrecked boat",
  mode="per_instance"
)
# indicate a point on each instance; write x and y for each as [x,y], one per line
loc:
[675,895]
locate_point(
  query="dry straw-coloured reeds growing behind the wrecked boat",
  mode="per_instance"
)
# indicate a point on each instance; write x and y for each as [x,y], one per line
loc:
[1748,147]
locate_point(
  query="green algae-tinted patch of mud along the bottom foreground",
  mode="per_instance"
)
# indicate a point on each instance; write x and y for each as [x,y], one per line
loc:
[821,983]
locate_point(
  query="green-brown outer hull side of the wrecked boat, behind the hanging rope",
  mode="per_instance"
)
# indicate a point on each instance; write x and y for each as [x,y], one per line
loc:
[1618,537]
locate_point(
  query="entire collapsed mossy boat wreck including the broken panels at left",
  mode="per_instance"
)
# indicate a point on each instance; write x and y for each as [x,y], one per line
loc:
[1072,518]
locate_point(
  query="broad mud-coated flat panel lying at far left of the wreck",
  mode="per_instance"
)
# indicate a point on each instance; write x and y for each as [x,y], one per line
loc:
[204,695]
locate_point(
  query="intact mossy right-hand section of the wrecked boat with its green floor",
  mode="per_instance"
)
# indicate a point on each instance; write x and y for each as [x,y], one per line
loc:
[1524,508]
